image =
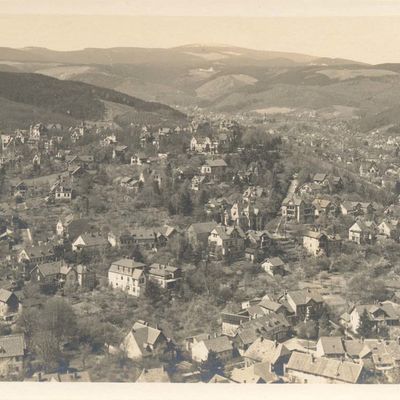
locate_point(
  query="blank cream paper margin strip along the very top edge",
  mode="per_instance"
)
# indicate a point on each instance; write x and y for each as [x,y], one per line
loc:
[205,7]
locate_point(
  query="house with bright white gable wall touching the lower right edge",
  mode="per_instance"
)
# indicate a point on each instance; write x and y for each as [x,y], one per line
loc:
[381,314]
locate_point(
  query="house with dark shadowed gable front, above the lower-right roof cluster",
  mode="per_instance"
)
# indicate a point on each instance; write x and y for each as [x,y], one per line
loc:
[303,304]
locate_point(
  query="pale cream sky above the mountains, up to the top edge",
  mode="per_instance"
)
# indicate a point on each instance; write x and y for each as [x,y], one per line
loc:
[364,30]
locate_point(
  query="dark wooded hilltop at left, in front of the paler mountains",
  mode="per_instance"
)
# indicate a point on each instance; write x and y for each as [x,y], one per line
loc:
[24,95]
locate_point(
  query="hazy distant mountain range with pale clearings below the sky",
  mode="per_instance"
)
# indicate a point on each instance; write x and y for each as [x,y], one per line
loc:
[225,78]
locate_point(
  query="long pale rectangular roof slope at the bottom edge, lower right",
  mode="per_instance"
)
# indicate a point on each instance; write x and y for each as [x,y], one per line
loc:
[343,371]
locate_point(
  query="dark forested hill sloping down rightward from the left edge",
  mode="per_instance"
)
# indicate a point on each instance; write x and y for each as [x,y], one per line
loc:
[75,100]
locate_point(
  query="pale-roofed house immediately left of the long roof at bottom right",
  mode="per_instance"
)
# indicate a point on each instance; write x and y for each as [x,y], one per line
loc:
[264,350]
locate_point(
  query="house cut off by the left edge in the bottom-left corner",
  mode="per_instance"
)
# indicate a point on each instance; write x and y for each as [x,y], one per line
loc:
[12,353]
